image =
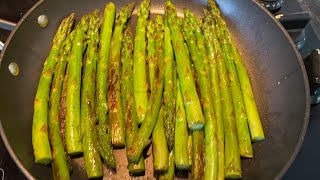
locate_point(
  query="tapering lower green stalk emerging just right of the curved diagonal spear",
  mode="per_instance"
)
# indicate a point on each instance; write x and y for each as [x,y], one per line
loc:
[159,145]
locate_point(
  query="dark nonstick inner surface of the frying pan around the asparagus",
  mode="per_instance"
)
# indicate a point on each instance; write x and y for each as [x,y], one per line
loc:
[278,79]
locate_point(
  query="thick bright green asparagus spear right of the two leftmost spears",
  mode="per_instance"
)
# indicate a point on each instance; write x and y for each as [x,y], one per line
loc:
[73,123]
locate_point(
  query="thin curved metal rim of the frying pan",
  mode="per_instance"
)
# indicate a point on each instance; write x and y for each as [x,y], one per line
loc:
[300,61]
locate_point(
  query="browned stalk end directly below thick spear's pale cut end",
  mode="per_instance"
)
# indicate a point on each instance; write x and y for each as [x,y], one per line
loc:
[197,172]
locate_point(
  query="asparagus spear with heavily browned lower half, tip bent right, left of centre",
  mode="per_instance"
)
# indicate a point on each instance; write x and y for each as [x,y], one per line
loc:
[114,100]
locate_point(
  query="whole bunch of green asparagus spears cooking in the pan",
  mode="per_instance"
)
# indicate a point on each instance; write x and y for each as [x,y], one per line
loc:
[200,114]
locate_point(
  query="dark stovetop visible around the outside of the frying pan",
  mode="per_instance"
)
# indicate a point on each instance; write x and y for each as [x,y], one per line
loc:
[305,165]
